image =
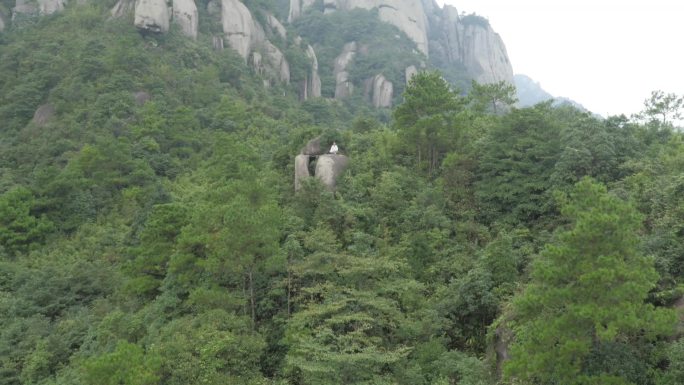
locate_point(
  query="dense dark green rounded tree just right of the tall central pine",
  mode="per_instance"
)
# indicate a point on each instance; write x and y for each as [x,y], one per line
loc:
[516,161]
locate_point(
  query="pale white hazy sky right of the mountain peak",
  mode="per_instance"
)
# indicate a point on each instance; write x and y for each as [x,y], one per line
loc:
[605,54]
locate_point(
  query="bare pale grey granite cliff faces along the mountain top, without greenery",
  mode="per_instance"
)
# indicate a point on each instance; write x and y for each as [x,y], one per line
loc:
[443,38]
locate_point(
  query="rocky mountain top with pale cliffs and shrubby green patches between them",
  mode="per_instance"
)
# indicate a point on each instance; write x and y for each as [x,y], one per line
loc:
[286,47]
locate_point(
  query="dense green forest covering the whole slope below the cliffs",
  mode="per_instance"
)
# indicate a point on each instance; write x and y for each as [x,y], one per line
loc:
[150,232]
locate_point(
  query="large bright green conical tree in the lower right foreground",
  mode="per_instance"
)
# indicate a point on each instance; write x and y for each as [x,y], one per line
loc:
[586,293]
